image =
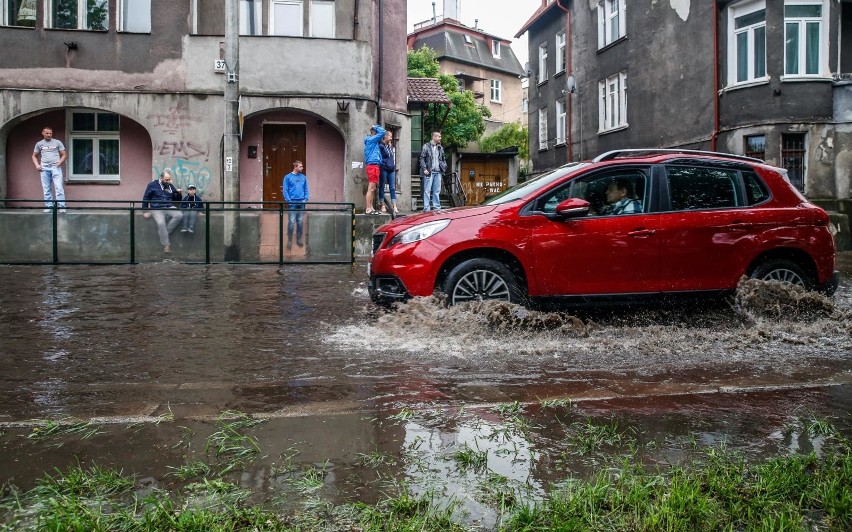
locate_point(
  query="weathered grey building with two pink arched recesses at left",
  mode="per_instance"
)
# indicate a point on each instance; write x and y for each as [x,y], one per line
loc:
[132,87]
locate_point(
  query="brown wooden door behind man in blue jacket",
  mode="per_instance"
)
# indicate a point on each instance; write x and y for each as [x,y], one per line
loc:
[282,144]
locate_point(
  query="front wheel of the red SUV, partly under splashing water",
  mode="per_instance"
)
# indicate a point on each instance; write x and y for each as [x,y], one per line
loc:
[480,279]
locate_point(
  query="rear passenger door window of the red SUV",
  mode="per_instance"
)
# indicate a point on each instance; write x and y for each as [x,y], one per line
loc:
[696,187]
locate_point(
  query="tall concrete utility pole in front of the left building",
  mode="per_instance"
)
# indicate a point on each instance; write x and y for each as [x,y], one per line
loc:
[231,151]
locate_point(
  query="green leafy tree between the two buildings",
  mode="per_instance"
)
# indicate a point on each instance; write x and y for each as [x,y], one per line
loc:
[465,121]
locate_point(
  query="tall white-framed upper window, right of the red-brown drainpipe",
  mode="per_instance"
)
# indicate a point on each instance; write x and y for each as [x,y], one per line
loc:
[747,47]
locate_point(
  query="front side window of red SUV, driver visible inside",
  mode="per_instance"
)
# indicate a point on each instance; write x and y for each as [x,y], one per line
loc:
[614,192]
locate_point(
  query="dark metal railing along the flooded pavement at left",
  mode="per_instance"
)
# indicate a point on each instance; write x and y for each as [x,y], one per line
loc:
[117,232]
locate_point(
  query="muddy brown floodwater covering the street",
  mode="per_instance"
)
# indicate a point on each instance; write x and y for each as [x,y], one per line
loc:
[156,357]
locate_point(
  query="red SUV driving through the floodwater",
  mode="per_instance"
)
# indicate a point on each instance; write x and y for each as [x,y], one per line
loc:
[631,224]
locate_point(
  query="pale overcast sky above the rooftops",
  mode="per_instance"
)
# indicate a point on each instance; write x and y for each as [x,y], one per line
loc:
[501,18]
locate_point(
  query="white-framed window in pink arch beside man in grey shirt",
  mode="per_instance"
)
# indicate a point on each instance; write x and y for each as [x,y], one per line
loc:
[94,145]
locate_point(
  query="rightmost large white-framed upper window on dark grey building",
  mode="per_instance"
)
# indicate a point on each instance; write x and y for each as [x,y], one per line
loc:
[803,37]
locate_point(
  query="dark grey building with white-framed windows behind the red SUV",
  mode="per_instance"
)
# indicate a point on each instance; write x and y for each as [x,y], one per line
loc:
[756,77]
